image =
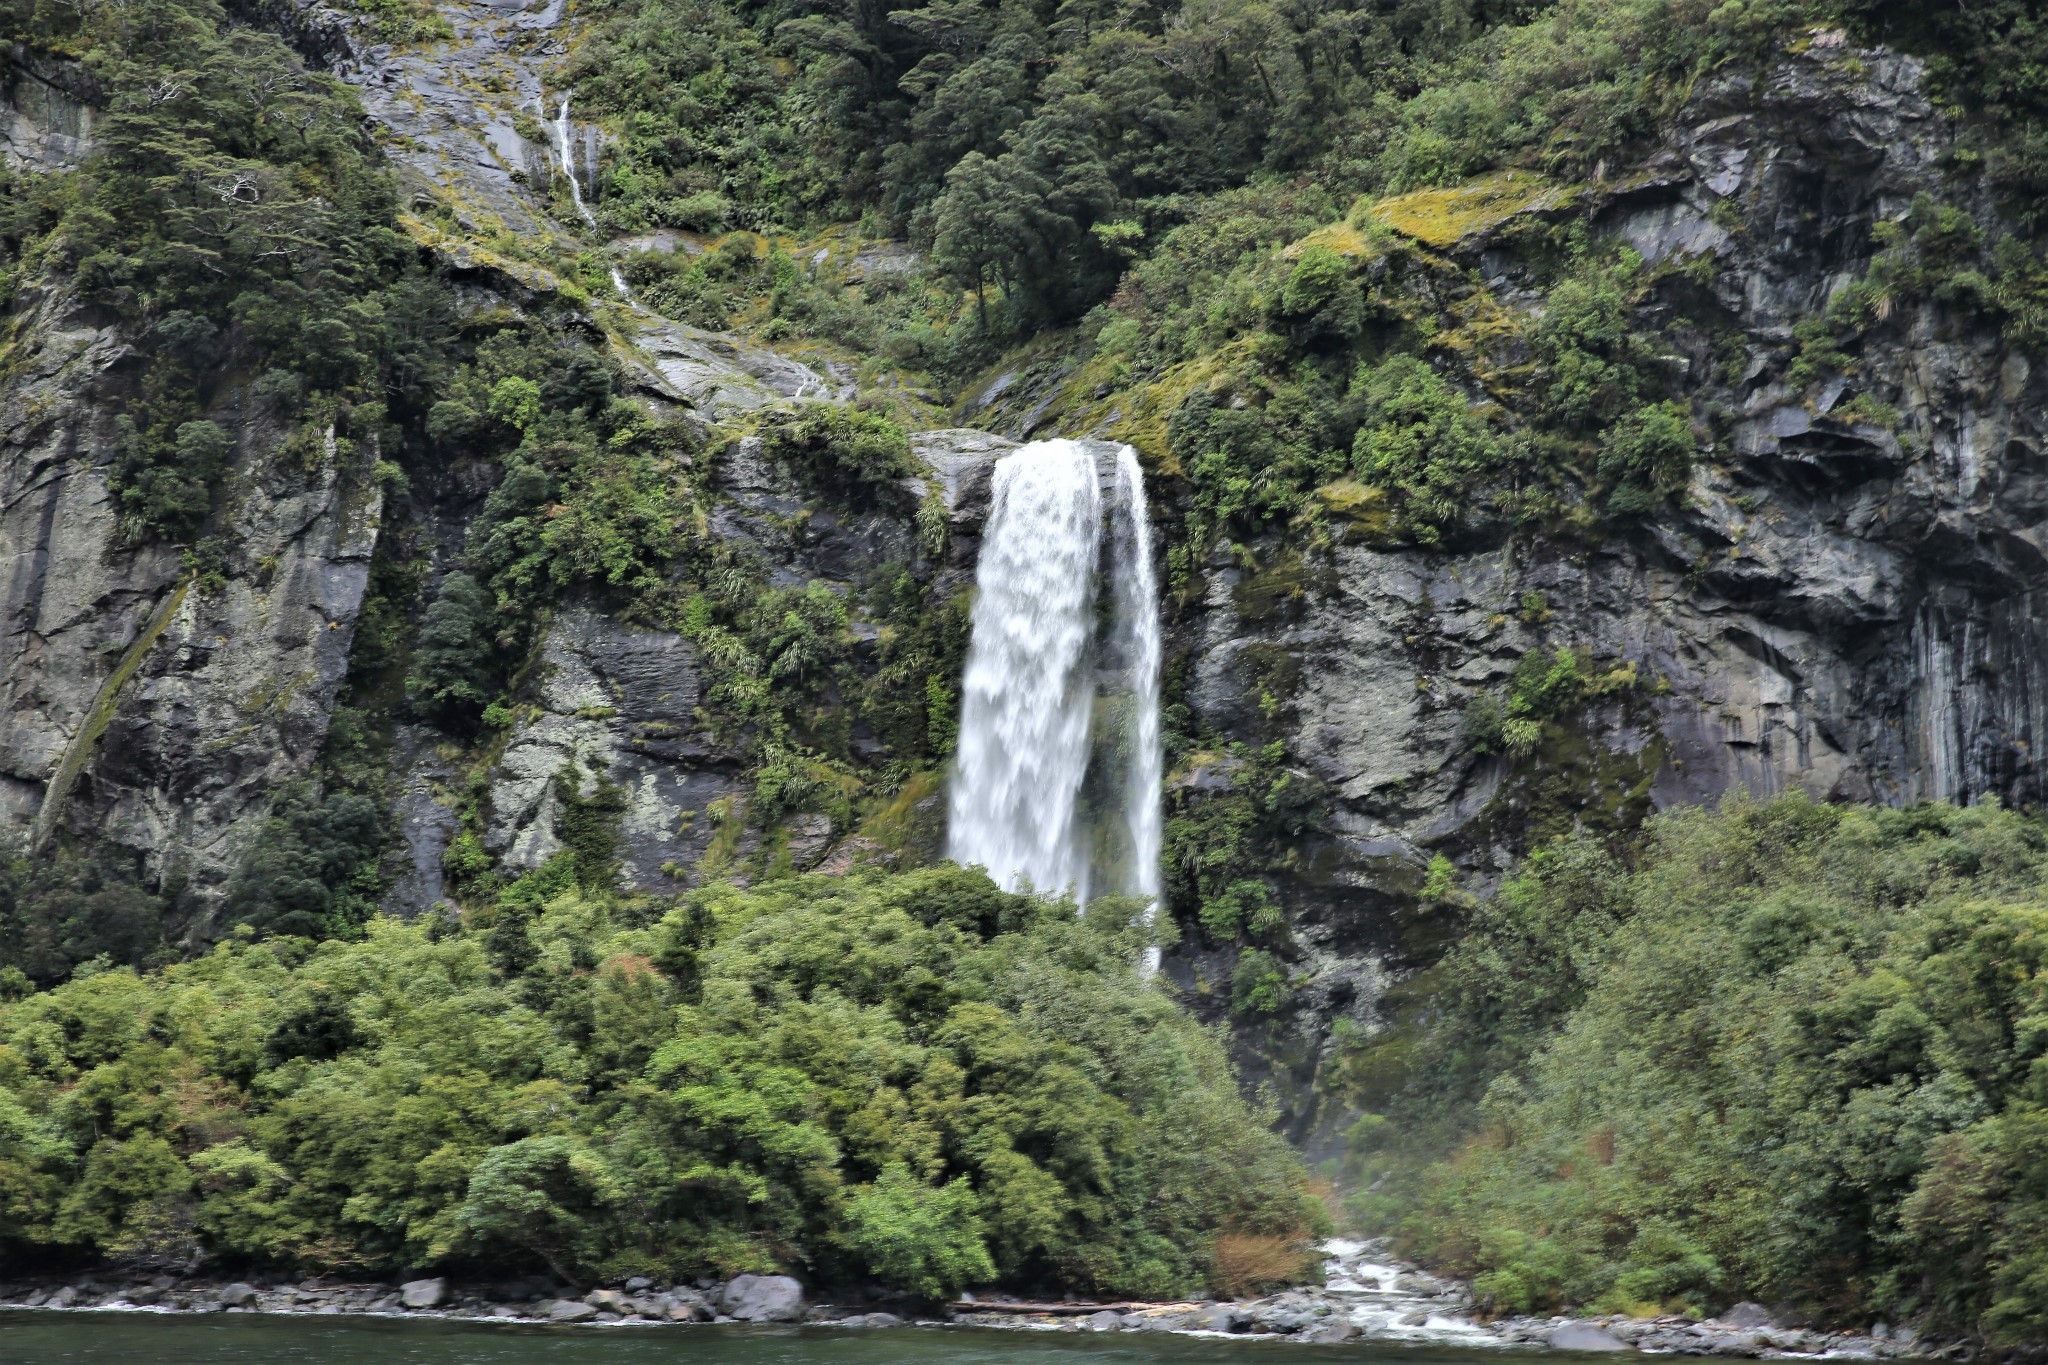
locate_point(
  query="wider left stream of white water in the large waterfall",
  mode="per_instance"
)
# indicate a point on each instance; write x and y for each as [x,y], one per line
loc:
[1027,699]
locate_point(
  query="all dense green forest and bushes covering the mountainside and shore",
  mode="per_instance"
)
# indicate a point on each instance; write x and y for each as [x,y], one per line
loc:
[1764,1049]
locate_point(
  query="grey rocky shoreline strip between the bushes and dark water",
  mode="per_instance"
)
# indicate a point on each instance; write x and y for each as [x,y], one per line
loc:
[1365,1298]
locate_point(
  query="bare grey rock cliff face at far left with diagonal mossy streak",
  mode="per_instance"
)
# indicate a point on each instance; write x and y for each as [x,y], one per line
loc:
[144,703]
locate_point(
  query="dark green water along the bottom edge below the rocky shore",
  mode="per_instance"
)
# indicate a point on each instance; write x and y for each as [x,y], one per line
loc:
[251,1339]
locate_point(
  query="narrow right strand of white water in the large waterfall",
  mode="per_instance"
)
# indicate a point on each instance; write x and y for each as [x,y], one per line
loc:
[1138,642]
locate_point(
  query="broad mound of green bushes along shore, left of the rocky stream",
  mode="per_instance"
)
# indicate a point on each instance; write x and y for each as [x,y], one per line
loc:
[912,1077]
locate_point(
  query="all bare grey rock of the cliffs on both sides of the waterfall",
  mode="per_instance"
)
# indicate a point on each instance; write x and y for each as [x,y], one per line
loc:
[1846,603]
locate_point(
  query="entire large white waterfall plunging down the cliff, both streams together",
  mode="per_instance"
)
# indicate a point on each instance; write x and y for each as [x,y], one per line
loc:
[1039,658]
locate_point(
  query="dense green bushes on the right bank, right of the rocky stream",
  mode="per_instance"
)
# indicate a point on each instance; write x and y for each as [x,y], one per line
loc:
[1787,1059]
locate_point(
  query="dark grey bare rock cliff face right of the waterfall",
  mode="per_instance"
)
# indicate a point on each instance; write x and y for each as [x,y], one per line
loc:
[1844,605]
